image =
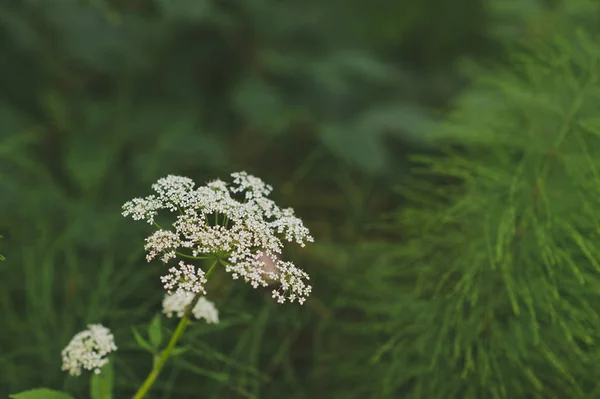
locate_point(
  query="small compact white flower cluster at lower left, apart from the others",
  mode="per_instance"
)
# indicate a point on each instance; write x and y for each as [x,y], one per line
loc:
[88,350]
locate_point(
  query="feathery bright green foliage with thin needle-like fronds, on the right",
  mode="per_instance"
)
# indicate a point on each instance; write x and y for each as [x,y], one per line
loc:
[496,293]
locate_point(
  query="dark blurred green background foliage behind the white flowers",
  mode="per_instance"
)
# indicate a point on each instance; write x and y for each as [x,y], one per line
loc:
[322,99]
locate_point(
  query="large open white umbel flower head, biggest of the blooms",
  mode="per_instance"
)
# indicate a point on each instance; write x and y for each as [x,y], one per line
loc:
[235,222]
